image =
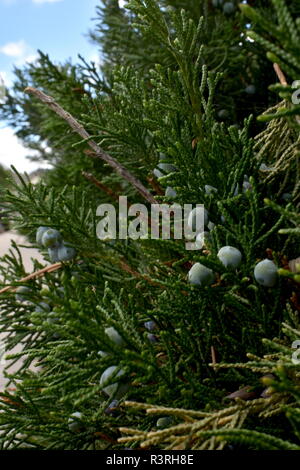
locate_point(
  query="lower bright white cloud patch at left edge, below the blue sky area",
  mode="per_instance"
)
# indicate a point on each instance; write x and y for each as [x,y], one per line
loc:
[12,152]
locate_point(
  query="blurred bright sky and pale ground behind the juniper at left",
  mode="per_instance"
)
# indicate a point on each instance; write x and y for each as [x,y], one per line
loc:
[58,27]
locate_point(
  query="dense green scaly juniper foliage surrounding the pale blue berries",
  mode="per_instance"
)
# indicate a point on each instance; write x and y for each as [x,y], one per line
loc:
[169,69]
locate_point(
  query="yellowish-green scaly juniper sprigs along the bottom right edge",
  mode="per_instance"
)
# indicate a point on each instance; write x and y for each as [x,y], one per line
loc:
[226,422]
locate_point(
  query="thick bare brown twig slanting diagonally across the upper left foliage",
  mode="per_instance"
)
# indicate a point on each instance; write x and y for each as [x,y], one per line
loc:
[99,152]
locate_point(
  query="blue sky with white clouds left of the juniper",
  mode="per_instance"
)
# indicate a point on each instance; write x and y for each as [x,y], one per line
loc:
[57,27]
